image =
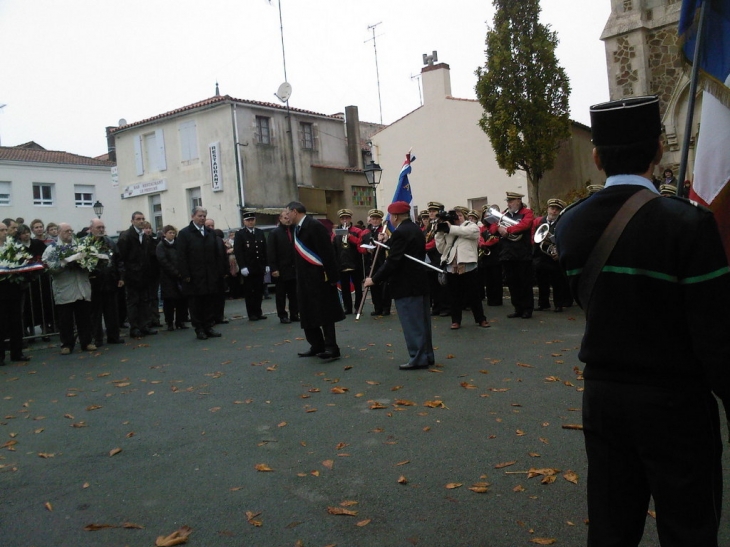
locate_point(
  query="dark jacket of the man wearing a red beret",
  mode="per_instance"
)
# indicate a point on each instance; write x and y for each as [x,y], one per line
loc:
[405,277]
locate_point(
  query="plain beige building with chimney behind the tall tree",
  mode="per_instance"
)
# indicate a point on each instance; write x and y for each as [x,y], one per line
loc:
[455,162]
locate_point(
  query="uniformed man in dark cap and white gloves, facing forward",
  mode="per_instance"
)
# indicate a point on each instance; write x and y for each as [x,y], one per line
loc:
[249,246]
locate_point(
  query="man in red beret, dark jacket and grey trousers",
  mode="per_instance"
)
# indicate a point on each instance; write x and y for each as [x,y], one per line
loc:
[408,285]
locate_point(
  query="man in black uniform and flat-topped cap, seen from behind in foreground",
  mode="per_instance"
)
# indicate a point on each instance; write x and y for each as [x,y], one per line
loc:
[650,420]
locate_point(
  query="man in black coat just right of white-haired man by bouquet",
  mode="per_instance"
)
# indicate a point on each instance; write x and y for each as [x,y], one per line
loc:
[135,250]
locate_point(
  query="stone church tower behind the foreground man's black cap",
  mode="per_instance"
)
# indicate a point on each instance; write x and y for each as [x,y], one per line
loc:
[643,58]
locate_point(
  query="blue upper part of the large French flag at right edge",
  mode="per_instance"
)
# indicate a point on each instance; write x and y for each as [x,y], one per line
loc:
[714,61]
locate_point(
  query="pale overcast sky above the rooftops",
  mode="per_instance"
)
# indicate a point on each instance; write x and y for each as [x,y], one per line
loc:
[70,68]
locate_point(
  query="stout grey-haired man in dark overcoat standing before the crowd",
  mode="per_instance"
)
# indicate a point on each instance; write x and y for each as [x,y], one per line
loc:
[201,263]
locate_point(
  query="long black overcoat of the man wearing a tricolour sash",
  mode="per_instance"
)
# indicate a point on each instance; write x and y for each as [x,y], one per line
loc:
[319,303]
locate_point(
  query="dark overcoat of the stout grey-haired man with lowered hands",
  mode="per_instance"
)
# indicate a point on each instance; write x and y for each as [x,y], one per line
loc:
[201,261]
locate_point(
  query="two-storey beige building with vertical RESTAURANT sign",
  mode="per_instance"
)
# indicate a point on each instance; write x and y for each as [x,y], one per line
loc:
[231,155]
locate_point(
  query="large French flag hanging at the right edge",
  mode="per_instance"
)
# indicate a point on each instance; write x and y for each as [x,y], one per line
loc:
[712,161]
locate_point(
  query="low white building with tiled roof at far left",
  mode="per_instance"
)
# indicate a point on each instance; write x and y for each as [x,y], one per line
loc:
[56,187]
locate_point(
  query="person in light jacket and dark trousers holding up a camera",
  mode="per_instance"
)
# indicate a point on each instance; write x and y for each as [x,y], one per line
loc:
[457,239]
